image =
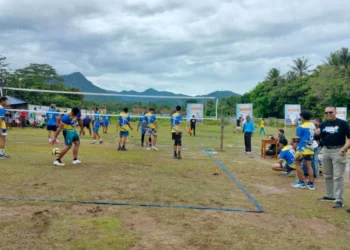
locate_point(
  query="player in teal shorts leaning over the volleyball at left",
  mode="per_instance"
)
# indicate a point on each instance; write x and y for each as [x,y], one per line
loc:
[68,123]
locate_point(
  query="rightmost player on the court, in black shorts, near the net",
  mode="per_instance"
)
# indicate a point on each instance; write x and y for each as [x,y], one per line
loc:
[176,131]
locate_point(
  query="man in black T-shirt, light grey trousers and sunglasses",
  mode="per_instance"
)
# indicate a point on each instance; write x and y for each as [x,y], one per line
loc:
[335,136]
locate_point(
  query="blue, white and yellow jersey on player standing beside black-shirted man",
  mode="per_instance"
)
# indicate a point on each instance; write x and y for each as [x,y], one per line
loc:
[305,133]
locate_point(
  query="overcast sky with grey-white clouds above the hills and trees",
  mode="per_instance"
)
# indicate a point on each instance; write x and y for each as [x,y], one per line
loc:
[183,46]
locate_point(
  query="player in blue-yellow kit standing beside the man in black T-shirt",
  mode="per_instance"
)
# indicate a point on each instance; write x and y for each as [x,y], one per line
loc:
[305,151]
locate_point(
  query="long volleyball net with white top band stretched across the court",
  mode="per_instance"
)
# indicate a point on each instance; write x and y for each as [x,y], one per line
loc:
[201,107]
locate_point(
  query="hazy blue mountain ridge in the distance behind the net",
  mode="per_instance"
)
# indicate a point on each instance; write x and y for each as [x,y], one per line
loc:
[79,81]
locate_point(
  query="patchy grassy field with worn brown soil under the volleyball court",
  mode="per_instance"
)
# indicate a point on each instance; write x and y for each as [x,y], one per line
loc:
[293,218]
